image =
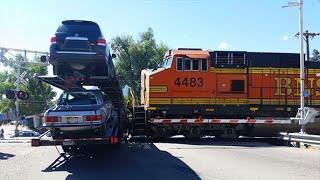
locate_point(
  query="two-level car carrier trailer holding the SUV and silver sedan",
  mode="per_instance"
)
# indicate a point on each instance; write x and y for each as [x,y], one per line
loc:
[110,89]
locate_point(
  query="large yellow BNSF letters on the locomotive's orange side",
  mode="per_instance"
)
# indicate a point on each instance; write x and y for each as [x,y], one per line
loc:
[287,86]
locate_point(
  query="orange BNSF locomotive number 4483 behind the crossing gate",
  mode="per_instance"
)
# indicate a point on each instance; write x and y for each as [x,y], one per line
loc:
[224,93]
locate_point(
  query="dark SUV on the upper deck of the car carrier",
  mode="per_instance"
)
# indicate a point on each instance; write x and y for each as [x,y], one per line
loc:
[79,49]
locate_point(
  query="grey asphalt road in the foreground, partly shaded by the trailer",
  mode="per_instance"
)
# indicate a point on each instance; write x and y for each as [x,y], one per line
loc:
[176,159]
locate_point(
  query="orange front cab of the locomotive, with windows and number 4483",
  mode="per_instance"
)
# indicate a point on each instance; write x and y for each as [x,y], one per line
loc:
[183,79]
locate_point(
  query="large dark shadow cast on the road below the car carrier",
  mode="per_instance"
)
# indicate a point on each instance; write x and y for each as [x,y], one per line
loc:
[131,161]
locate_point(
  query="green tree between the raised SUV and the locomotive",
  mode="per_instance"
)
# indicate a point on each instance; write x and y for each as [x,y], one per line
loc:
[136,55]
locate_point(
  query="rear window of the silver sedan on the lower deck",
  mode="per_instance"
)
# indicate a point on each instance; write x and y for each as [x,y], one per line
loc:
[78,98]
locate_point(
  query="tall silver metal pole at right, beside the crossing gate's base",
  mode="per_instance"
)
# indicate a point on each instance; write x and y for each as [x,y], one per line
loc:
[299,4]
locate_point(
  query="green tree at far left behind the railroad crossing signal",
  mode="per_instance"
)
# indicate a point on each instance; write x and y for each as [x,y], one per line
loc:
[38,94]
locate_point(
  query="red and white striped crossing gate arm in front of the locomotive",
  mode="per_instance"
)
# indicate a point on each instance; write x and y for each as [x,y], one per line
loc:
[221,121]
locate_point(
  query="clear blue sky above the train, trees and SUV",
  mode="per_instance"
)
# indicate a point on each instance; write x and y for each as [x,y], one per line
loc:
[251,25]
